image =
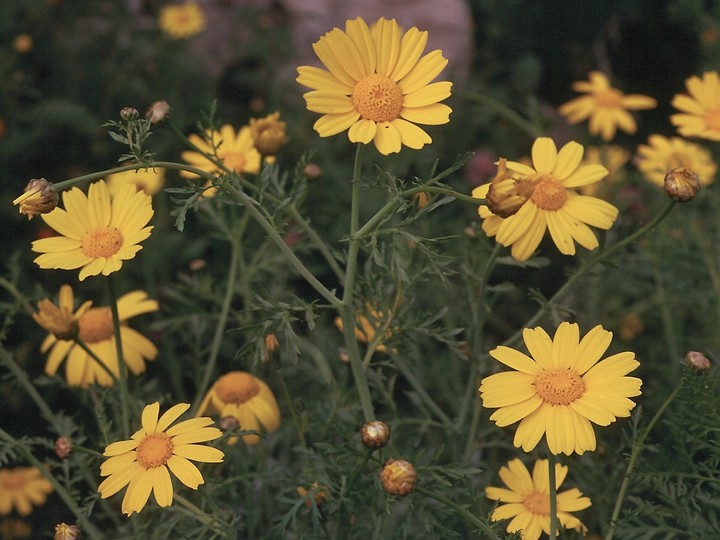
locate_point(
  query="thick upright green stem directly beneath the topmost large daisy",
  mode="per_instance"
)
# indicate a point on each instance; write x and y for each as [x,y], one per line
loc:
[347,309]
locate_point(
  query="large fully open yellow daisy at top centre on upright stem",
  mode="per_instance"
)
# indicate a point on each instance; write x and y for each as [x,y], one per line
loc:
[377,85]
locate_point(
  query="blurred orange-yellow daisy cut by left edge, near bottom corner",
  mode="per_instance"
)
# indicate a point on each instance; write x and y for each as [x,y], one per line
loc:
[21,488]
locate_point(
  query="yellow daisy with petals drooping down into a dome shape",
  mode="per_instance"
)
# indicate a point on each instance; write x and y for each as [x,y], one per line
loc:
[246,398]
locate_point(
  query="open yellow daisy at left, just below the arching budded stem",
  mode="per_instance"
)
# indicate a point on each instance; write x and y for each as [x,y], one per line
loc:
[98,231]
